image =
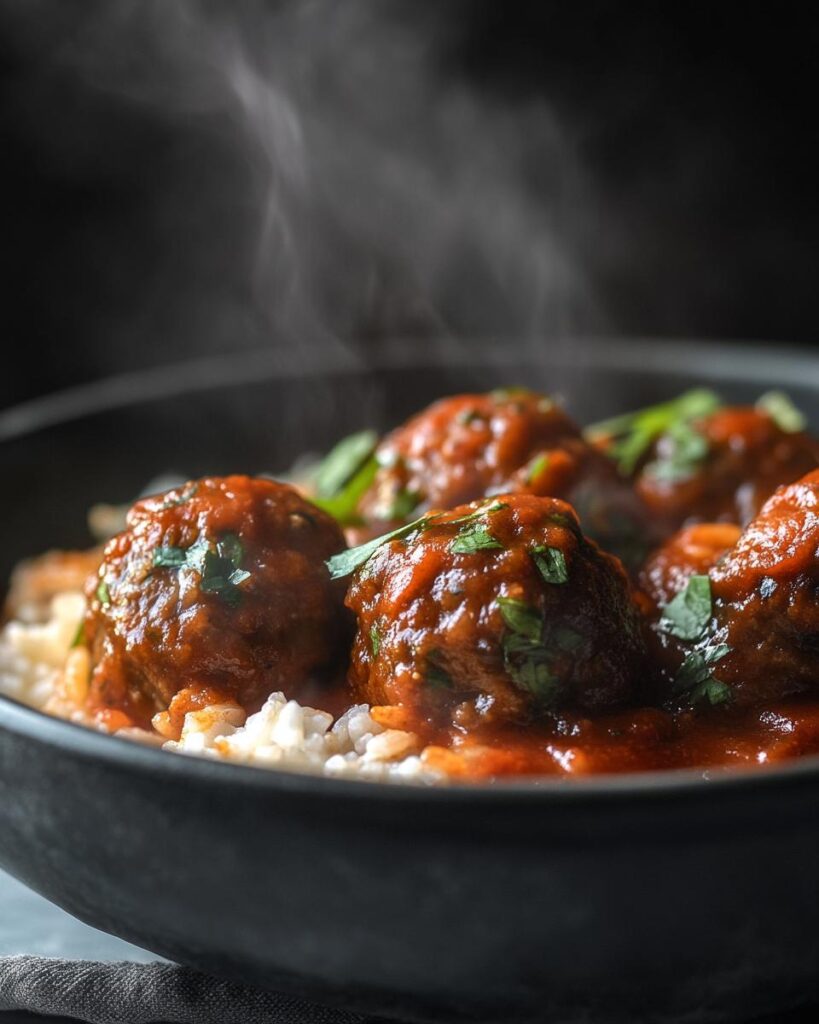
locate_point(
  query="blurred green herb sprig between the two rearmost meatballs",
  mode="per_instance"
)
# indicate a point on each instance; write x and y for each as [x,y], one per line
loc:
[632,435]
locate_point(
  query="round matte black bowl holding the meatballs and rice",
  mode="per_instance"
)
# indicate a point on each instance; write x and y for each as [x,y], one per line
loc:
[645,898]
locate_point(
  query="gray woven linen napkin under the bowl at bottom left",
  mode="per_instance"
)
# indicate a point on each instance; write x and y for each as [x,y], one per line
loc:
[143,994]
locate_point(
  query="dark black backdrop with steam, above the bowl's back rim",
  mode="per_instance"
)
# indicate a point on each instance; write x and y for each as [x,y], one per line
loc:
[374,179]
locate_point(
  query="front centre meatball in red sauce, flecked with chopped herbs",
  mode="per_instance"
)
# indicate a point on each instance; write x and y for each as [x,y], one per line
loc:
[498,611]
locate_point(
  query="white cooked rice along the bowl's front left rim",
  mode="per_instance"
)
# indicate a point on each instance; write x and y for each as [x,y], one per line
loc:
[40,667]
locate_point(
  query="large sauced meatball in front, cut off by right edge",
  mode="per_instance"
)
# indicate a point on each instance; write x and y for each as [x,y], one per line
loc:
[746,631]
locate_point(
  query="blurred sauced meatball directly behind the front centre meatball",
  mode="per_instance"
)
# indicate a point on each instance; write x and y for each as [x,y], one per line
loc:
[473,446]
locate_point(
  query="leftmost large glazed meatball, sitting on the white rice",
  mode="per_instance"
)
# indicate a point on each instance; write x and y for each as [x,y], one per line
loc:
[217,592]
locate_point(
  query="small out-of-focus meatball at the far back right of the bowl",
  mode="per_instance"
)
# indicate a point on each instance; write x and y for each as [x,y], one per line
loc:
[722,467]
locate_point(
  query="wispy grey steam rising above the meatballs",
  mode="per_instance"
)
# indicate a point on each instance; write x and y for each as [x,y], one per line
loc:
[379,198]
